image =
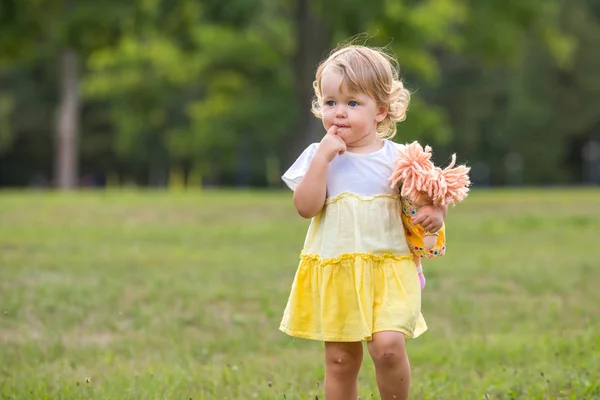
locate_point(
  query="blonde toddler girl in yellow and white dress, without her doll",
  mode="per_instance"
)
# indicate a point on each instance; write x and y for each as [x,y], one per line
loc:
[356,280]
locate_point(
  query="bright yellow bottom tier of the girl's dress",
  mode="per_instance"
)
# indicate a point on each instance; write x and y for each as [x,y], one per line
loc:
[348,298]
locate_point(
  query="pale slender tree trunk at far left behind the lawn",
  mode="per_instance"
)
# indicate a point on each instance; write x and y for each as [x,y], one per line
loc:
[66,168]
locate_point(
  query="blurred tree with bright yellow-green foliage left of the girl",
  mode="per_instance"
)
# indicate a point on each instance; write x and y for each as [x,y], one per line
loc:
[198,85]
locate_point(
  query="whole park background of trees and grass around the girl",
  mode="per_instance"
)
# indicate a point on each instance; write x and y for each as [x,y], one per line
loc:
[147,243]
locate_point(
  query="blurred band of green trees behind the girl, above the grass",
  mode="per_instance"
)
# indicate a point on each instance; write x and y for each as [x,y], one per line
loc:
[198,93]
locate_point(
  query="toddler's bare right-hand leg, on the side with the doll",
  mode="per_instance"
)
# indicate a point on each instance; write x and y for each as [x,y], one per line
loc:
[388,350]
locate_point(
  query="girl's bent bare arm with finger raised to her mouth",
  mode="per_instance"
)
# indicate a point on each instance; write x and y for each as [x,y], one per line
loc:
[311,192]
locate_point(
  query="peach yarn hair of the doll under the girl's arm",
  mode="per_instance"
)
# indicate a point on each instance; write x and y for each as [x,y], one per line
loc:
[417,174]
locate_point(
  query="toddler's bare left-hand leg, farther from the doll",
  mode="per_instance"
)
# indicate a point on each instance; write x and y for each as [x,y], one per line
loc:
[342,363]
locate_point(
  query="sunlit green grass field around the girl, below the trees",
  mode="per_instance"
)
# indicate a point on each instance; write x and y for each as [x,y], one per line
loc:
[152,295]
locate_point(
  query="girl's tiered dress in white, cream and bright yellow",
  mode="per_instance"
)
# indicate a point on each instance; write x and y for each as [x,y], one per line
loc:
[356,274]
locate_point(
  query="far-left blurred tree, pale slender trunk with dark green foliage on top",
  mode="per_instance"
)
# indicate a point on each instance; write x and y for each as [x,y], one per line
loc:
[61,30]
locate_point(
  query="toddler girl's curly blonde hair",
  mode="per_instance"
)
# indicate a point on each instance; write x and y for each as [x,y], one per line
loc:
[370,71]
